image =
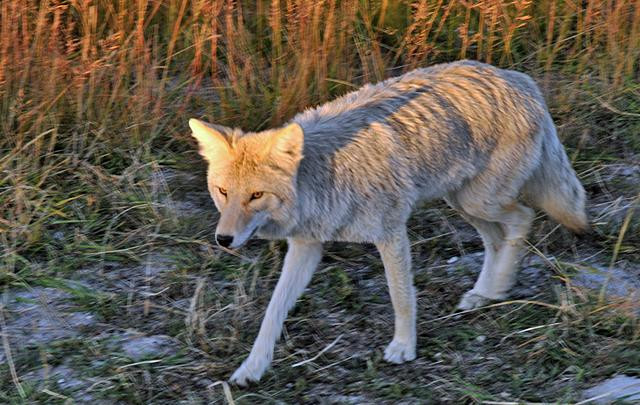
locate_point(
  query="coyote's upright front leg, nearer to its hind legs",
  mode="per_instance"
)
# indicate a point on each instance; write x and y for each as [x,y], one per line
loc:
[396,258]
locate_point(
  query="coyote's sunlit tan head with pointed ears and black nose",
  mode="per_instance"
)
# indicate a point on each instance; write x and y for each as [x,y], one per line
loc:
[251,177]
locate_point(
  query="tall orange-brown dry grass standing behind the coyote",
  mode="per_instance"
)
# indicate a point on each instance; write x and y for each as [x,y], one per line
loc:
[89,90]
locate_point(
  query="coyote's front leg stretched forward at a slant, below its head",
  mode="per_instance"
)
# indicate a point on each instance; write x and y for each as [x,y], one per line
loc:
[299,264]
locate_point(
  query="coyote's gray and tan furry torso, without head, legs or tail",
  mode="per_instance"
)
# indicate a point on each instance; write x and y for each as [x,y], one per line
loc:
[371,155]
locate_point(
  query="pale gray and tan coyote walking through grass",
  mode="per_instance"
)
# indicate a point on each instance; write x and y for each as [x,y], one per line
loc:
[352,169]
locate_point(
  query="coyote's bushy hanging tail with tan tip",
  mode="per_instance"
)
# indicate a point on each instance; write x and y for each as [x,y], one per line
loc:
[554,186]
